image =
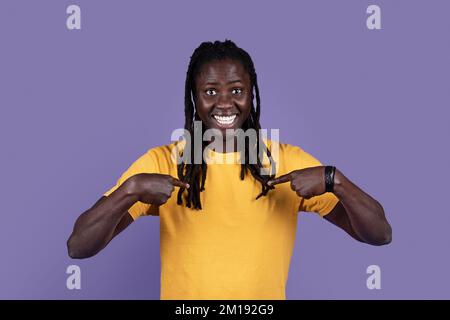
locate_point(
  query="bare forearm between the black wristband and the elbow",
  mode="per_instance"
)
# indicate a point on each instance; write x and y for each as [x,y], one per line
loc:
[366,215]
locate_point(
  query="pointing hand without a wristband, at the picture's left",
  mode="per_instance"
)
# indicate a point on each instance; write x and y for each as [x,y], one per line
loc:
[154,188]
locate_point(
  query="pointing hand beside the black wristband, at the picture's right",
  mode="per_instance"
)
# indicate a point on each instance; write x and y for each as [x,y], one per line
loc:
[307,183]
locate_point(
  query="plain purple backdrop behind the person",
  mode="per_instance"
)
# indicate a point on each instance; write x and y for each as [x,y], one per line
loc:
[78,107]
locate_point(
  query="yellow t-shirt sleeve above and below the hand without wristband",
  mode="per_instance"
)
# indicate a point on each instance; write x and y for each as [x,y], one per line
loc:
[144,164]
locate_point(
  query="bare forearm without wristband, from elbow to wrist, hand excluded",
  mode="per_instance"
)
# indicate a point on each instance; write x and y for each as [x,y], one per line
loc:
[95,228]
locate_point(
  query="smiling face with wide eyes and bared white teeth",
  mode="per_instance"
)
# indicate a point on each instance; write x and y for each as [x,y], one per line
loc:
[223,95]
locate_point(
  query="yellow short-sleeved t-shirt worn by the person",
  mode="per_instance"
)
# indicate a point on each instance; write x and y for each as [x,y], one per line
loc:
[236,247]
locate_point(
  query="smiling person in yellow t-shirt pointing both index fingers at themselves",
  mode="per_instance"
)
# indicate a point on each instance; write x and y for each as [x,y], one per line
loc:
[229,231]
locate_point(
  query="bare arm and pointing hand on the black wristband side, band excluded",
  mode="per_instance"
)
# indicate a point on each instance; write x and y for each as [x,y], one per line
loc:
[357,213]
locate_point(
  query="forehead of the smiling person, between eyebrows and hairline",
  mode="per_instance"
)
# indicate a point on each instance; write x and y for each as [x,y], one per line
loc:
[222,70]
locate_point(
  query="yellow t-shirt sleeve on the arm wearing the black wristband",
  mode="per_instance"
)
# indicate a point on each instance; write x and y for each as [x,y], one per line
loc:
[322,204]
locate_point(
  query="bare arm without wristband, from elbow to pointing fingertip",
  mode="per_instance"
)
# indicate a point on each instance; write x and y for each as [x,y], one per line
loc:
[96,227]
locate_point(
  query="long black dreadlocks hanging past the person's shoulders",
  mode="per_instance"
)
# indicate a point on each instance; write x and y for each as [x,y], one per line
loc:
[195,174]
